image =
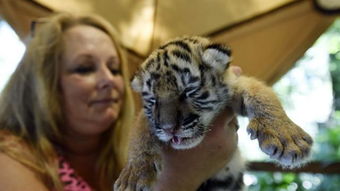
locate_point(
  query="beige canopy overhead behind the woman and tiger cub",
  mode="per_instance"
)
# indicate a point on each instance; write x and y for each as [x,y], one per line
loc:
[267,36]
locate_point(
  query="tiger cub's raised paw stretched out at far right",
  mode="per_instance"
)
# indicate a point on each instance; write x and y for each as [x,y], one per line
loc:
[281,140]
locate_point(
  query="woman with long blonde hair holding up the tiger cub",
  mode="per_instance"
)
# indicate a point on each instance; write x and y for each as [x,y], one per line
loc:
[66,114]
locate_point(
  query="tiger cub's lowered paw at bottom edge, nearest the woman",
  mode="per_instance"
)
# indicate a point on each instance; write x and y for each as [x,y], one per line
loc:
[135,177]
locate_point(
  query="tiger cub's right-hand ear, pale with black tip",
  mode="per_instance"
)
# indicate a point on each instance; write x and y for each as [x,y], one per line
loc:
[217,56]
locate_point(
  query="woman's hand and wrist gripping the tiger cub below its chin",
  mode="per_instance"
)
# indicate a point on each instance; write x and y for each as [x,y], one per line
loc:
[185,170]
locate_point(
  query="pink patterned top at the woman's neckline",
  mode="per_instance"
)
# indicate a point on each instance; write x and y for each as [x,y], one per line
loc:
[70,179]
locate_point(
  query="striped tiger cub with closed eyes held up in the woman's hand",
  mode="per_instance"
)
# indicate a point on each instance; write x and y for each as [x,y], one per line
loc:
[184,85]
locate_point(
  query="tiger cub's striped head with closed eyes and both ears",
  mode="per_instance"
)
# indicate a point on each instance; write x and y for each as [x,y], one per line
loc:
[182,87]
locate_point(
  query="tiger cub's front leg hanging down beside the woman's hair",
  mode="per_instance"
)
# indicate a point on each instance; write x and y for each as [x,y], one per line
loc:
[140,171]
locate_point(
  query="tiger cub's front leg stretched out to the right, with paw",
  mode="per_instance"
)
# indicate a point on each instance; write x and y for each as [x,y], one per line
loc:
[278,136]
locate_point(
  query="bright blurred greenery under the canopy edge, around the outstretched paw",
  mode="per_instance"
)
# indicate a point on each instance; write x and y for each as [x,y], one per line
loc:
[310,93]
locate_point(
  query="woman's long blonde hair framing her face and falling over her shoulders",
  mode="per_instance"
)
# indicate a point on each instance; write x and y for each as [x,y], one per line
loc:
[30,103]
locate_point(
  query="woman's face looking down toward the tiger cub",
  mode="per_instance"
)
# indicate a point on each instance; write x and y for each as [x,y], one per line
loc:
[91,81]
